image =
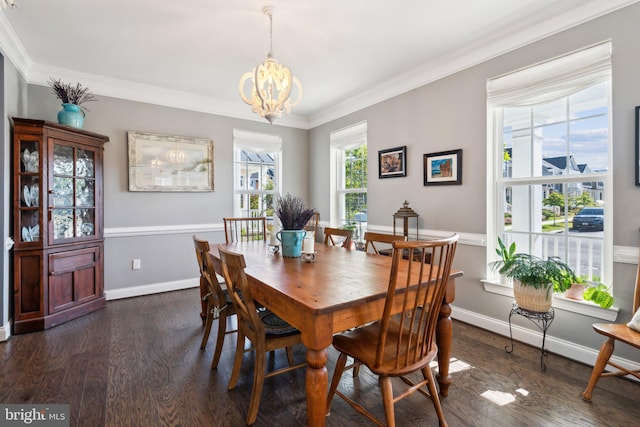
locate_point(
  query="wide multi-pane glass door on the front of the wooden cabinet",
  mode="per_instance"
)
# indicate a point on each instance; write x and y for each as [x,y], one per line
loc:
[73,192]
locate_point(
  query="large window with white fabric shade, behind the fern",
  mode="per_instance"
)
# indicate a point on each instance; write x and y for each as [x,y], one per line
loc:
[549,152]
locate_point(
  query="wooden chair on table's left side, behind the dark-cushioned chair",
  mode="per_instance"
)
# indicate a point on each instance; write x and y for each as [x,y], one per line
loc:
[218,305]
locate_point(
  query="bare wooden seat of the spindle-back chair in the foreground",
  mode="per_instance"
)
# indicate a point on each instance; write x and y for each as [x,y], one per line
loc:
[361,344]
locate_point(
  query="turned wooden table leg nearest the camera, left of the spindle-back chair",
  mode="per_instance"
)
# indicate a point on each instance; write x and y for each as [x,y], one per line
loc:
[317,382]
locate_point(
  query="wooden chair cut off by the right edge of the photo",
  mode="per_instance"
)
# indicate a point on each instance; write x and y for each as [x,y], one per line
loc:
[614,332]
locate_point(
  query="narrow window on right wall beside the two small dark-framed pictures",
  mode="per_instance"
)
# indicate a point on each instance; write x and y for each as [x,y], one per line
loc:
[349,207]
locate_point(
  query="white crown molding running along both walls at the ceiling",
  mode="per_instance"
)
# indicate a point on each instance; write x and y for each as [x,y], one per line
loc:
[564,15]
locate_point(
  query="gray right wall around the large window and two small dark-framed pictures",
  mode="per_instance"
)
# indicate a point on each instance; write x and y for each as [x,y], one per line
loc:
[450,114]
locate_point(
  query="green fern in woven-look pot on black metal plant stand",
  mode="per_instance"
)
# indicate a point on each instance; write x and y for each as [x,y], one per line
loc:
[535,279]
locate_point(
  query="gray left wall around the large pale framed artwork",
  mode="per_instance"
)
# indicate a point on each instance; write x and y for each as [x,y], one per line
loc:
[167,256]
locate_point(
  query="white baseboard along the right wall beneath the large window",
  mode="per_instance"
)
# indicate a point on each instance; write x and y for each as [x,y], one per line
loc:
[555,345]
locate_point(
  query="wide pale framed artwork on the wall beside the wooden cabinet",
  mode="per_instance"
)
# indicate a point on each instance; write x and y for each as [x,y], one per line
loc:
[169,163]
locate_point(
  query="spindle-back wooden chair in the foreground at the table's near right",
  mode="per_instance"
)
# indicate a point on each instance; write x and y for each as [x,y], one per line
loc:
[400,344]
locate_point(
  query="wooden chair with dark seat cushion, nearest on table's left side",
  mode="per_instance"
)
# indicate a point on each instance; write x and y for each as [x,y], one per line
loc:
[266,331]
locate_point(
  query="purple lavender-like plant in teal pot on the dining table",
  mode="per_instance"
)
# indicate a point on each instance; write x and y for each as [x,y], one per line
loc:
[293,216]
